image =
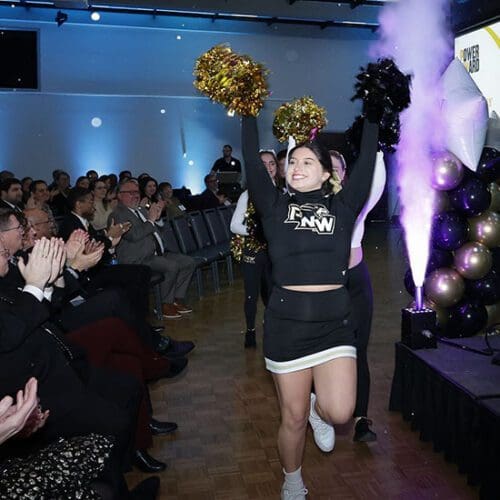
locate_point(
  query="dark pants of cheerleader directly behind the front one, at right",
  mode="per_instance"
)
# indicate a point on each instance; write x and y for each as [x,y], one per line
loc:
[361,294]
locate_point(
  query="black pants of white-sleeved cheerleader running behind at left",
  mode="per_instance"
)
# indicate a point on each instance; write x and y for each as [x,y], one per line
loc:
[257,281]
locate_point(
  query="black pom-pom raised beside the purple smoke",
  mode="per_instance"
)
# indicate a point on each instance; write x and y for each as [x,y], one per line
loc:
[385,92]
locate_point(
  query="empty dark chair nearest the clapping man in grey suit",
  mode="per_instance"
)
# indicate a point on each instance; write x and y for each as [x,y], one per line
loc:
[188,246]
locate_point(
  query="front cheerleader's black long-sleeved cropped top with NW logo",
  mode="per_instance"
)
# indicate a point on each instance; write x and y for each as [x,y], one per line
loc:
[309,234]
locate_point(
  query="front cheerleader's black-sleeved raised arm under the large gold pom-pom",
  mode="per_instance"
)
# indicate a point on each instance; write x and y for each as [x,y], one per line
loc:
[261,189]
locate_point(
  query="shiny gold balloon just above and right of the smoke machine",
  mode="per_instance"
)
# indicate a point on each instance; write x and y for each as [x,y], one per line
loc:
[444,286]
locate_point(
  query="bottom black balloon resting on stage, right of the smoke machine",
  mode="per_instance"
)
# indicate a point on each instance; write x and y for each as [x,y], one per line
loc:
[465,319]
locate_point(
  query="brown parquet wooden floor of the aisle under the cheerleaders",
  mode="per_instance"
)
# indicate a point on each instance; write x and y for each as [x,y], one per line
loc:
[228,415]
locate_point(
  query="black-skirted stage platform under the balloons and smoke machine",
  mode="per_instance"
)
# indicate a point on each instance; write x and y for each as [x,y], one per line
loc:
[452,397]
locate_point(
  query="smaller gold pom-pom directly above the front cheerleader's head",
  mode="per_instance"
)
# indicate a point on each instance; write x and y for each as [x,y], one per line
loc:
[301,118]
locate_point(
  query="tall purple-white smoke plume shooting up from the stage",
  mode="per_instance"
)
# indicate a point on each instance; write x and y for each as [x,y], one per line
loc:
[414,33]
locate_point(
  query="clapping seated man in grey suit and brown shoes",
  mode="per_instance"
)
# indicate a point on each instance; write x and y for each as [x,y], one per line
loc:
[142,244]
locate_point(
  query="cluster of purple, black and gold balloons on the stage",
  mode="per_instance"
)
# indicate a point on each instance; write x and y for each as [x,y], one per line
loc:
[463,273]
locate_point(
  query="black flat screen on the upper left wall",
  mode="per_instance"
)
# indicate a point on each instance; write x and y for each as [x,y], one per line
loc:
[19,56]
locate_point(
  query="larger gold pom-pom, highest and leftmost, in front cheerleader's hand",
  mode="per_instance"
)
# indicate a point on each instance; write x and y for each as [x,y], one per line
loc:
[234,80]
